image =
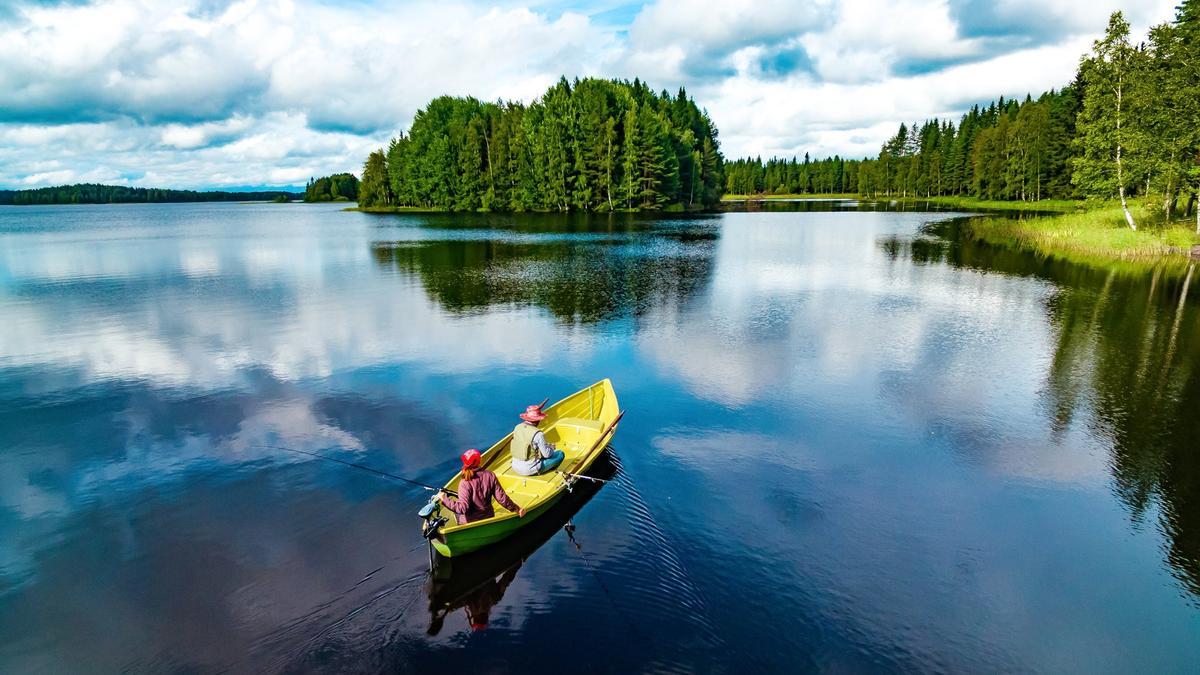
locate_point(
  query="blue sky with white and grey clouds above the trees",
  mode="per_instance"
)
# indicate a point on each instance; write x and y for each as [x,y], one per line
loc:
[224,94]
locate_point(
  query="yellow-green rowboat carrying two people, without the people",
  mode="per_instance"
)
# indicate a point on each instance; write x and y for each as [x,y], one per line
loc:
[581,426]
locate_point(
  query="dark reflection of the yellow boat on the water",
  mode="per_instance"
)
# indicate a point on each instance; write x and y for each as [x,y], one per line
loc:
[477,582]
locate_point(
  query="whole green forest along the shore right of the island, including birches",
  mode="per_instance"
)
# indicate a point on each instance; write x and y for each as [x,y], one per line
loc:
[1127,128]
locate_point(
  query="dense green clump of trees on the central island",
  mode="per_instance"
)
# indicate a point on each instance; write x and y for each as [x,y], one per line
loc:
[589,146]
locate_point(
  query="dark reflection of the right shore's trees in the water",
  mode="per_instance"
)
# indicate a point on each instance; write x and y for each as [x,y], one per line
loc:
[1126,366]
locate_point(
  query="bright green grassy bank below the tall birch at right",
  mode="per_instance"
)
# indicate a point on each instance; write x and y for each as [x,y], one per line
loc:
[1093,237]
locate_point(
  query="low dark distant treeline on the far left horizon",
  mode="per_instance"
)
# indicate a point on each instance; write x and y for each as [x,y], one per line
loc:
[94,194]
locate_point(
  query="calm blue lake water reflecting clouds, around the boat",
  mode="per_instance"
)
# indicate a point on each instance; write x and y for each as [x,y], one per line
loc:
[855,441]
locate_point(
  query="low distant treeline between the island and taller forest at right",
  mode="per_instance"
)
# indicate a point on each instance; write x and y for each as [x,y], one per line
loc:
[791,177]
